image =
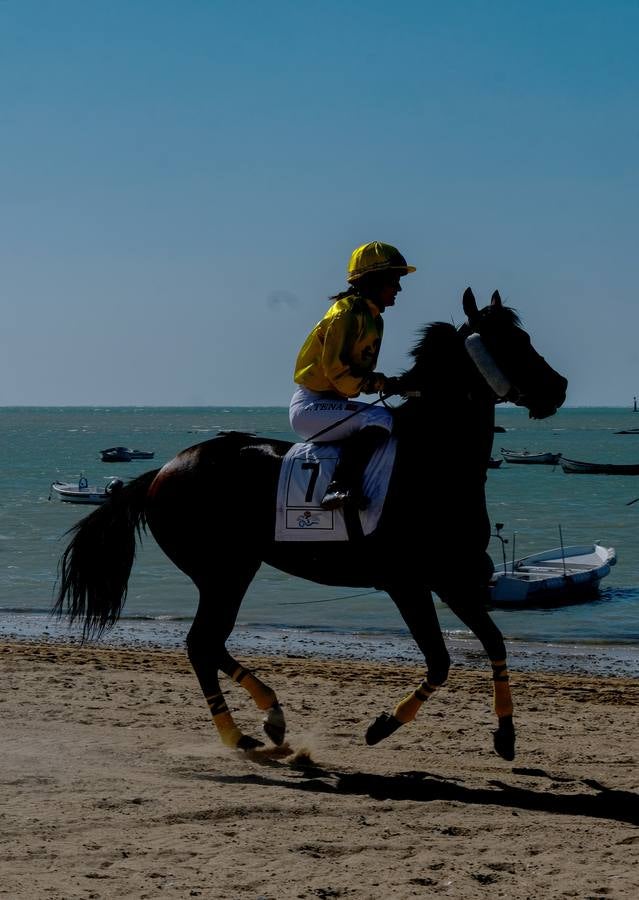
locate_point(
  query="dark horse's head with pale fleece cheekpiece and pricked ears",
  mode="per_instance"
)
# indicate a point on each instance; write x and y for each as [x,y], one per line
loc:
[504,355]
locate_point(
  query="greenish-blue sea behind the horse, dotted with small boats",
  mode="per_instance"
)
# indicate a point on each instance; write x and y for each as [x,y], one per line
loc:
[539,507]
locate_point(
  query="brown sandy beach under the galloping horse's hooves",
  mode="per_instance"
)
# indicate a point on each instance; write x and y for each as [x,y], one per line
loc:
[116,785]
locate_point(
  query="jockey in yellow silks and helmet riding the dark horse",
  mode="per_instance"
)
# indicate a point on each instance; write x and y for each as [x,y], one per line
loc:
[337,362]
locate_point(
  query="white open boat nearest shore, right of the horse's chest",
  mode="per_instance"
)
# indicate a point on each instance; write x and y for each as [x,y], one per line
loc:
[552,577]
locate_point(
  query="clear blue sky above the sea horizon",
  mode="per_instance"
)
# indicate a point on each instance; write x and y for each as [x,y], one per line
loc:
[182,183]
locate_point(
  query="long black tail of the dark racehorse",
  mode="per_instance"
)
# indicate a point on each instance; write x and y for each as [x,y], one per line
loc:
[94,570]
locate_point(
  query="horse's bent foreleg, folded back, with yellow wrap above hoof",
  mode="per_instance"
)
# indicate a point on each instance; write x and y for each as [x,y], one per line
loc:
[418,611]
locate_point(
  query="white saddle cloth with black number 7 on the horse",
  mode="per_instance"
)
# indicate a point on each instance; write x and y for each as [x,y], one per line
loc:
[306,472]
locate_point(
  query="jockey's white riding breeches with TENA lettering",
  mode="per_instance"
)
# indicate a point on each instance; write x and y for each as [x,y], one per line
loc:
[311,412]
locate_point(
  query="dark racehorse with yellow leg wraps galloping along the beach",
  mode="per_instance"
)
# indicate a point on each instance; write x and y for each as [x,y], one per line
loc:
[443,429]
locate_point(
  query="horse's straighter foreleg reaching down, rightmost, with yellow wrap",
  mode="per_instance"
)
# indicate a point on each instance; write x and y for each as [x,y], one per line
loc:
[491,638]
